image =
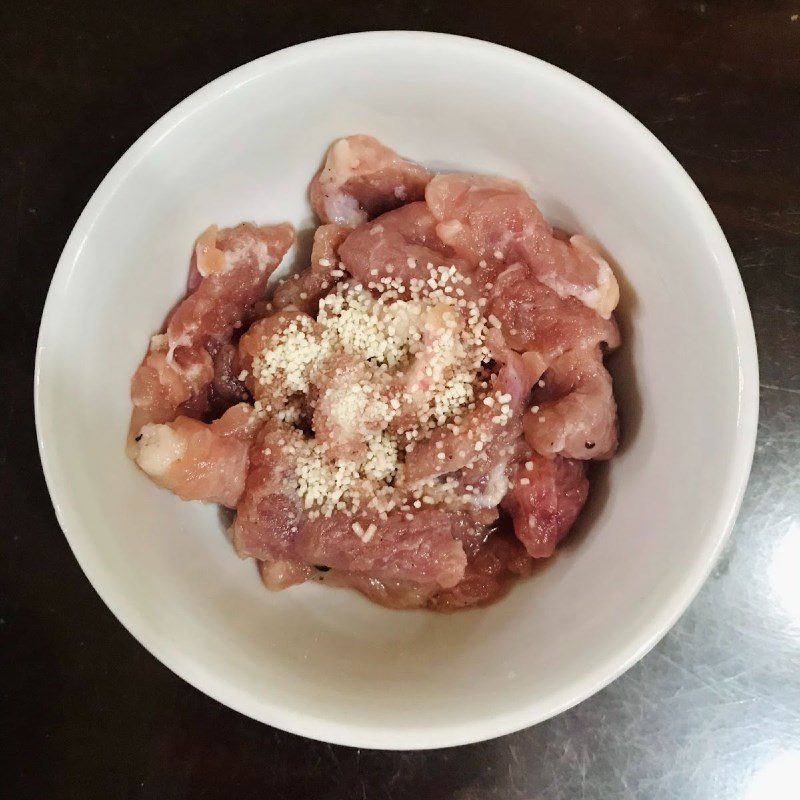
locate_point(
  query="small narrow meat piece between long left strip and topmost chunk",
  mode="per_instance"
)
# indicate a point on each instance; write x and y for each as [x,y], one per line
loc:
[305,289]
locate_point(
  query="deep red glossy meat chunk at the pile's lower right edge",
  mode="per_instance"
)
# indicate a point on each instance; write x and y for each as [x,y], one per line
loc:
[544,501]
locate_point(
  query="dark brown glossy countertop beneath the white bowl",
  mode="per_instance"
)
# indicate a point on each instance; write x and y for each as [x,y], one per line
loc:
[712,712]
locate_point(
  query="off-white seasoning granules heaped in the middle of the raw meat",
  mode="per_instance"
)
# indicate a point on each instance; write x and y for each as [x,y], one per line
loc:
[423,354]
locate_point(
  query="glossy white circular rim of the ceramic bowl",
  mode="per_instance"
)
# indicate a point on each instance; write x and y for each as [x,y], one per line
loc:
[534,711]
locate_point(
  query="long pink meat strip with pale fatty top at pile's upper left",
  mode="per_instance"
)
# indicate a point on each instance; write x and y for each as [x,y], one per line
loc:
[234,265]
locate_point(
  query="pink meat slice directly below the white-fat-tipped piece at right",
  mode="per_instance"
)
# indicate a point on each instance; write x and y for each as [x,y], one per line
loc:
[536,320]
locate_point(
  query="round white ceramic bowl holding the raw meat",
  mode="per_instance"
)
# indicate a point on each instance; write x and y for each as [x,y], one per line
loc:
[326,663]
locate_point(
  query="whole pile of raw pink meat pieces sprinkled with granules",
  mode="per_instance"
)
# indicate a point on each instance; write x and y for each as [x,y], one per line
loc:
[432,380]
